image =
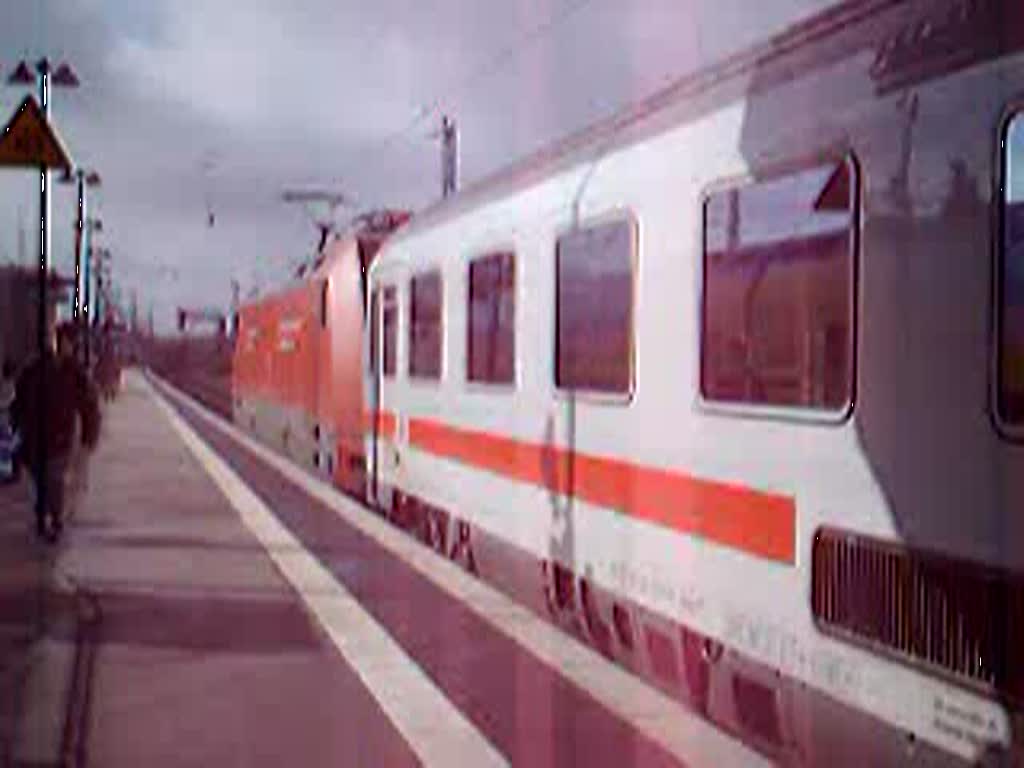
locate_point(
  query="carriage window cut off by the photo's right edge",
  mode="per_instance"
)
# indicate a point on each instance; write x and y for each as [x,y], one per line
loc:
[1011,385]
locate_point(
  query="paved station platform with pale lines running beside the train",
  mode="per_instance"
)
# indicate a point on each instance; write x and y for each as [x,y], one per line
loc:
[211,605]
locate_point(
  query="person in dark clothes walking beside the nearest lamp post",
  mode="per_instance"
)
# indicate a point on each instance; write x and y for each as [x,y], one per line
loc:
[53,393]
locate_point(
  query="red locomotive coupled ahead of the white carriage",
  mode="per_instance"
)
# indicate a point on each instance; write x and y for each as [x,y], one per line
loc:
[297,376]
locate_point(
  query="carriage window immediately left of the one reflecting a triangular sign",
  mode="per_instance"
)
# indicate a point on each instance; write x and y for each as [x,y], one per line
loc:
[594,317]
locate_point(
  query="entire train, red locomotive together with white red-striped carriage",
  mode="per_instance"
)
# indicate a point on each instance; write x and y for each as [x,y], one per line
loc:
[730,387]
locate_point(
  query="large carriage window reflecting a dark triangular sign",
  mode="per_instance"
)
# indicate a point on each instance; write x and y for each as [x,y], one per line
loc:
[779,291]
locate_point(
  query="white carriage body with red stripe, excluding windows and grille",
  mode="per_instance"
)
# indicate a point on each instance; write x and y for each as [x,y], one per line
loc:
[916,458]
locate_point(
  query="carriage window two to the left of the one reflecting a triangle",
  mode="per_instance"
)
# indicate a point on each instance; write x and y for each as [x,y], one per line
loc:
[491,333]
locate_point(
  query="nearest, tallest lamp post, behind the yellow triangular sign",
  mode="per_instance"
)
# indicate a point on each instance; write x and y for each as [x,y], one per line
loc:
[44,77]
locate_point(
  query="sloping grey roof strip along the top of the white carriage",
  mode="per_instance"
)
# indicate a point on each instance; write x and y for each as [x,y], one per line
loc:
[908,51]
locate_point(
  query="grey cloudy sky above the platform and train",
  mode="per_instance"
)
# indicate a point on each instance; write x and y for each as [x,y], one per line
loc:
[190,103]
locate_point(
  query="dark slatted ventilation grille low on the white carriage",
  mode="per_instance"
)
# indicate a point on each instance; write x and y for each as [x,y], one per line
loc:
[953,616]
